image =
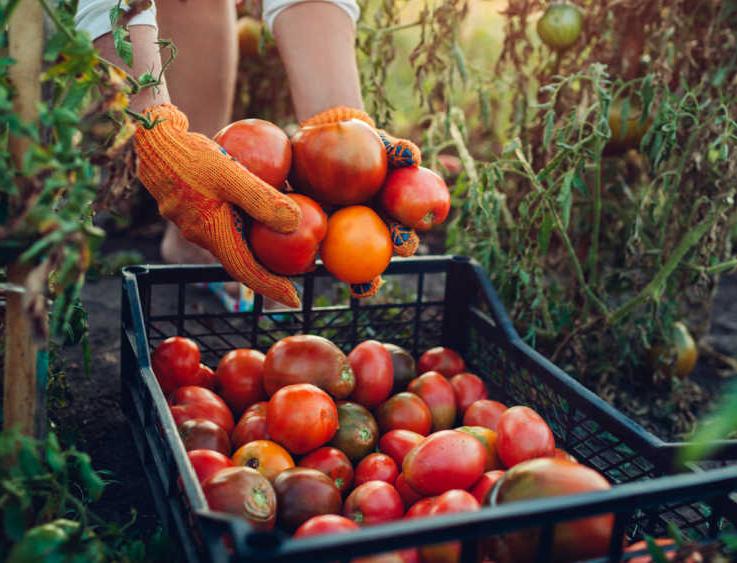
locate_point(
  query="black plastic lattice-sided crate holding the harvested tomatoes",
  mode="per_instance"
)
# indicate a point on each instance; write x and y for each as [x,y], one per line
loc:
[439,300]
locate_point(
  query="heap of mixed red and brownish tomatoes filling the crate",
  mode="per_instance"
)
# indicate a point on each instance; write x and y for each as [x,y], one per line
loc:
[313,441]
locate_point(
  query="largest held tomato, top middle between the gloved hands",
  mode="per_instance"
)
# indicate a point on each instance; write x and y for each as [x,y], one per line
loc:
[342,163]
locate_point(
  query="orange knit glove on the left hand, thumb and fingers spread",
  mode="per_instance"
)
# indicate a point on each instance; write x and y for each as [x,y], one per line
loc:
[207,194]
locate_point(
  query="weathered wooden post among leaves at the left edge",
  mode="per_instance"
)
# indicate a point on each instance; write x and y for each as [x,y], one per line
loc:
[24,376]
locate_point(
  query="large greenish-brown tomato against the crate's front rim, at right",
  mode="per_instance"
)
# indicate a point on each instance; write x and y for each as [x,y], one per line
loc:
[573,540]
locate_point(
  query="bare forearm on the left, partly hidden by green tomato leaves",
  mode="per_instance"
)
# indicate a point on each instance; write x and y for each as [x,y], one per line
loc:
[146,58]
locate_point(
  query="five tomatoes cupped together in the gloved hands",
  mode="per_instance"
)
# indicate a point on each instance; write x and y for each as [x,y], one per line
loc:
[338,175]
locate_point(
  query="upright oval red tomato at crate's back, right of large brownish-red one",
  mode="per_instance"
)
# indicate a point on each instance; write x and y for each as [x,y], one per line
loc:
[374,371]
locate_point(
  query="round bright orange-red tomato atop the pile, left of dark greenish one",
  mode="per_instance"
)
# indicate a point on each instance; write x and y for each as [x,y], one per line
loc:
[301,417]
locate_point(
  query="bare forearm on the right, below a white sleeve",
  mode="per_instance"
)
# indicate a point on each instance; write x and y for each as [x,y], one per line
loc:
[316,41]
